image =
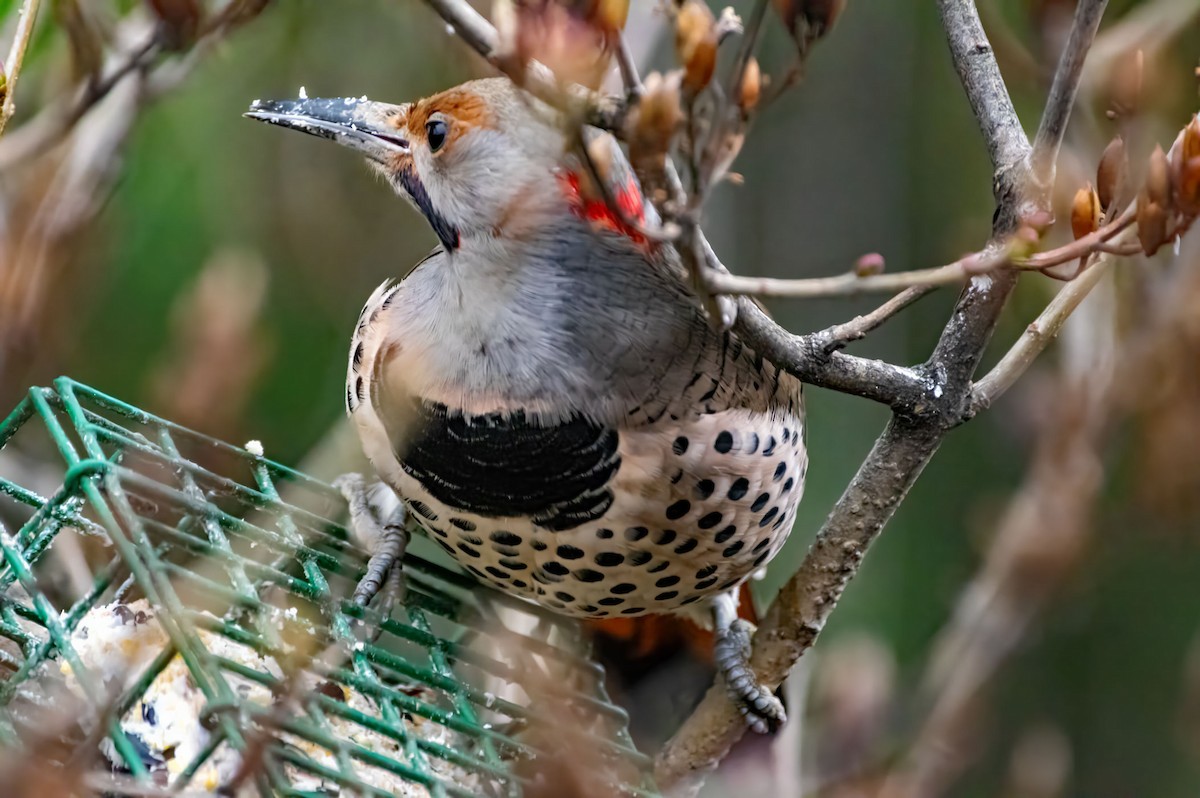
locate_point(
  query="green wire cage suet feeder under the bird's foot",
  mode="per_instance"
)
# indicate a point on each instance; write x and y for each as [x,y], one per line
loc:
[179,608]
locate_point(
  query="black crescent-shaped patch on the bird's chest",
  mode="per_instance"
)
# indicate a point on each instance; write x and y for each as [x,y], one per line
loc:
[505,465]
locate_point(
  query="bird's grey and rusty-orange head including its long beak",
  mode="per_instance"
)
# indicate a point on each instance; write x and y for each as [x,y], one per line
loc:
[479,160]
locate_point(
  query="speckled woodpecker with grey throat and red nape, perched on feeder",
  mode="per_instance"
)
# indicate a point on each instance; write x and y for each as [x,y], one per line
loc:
[545,392]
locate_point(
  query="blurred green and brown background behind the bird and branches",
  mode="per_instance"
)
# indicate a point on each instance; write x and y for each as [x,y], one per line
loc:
[208,269]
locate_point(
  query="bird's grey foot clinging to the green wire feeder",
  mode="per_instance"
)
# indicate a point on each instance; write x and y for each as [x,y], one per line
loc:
[386,539]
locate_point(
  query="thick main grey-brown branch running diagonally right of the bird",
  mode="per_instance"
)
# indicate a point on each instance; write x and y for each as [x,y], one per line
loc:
[800,611]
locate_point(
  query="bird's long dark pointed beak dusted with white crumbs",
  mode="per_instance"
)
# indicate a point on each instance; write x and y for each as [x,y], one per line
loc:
[356,123]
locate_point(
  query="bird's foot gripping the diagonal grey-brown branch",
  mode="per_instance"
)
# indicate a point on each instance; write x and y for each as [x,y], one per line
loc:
[759,706]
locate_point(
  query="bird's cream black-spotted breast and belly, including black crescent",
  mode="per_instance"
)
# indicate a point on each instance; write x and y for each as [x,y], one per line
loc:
[671,502]
